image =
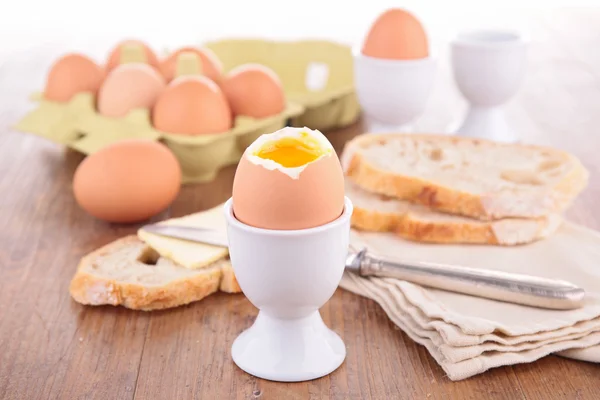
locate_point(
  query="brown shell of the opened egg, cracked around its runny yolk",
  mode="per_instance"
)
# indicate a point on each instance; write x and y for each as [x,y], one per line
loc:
[269,196]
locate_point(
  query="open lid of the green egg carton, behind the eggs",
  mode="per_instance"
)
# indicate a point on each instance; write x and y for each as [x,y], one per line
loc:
[317,74]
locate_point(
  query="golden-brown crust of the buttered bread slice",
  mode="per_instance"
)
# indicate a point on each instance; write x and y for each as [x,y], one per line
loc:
[93,289]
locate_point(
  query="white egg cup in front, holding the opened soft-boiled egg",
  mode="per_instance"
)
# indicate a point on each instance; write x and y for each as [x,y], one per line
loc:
[288,275]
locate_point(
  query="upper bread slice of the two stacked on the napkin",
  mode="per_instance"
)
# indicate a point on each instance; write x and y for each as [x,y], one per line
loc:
[471,177]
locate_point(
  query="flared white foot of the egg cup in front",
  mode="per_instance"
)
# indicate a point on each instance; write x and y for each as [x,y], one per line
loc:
[288,350]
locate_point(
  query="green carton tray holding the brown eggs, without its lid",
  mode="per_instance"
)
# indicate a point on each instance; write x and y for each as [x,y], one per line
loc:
[76,124]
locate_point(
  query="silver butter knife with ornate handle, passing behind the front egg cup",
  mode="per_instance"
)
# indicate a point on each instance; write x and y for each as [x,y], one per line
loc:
[496,285]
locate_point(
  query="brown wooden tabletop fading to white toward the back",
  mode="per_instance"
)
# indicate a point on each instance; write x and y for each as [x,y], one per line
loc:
[54,348]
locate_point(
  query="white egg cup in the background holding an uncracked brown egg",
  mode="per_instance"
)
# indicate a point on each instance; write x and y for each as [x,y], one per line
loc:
[392,93]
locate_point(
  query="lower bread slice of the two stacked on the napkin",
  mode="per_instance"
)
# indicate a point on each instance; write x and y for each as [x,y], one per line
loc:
[378,213]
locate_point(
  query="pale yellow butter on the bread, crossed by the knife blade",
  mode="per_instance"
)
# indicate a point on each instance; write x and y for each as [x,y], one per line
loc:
[185,253]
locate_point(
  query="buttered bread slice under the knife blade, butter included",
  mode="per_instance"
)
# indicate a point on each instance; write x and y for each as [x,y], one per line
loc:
[151,272]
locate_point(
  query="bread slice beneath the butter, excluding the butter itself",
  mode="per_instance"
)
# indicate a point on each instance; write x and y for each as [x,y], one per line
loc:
[128,272]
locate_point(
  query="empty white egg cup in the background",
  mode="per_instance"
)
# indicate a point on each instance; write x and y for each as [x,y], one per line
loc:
[488,68]
